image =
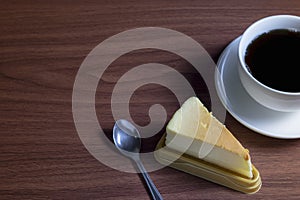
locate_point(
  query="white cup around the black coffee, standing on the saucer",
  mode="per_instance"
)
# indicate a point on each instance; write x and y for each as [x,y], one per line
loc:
[266,96]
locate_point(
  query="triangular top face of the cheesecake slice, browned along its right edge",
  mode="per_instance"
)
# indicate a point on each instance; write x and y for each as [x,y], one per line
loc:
[193,120]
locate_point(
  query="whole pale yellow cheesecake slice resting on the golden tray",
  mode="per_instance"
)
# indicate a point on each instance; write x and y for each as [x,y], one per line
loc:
[196,132]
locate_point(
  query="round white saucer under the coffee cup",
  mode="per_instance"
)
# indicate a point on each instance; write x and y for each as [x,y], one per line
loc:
[242,107]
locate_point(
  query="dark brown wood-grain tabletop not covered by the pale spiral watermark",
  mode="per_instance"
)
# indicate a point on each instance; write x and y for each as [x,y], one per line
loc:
[42,45]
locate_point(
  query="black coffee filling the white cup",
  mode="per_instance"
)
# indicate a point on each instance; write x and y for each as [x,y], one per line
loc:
[273,58]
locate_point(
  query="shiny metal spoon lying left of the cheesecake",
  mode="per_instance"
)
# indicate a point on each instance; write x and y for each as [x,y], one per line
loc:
[127,140]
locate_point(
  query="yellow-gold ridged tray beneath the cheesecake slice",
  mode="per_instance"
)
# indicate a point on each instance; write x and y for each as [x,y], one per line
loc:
[205,170]
